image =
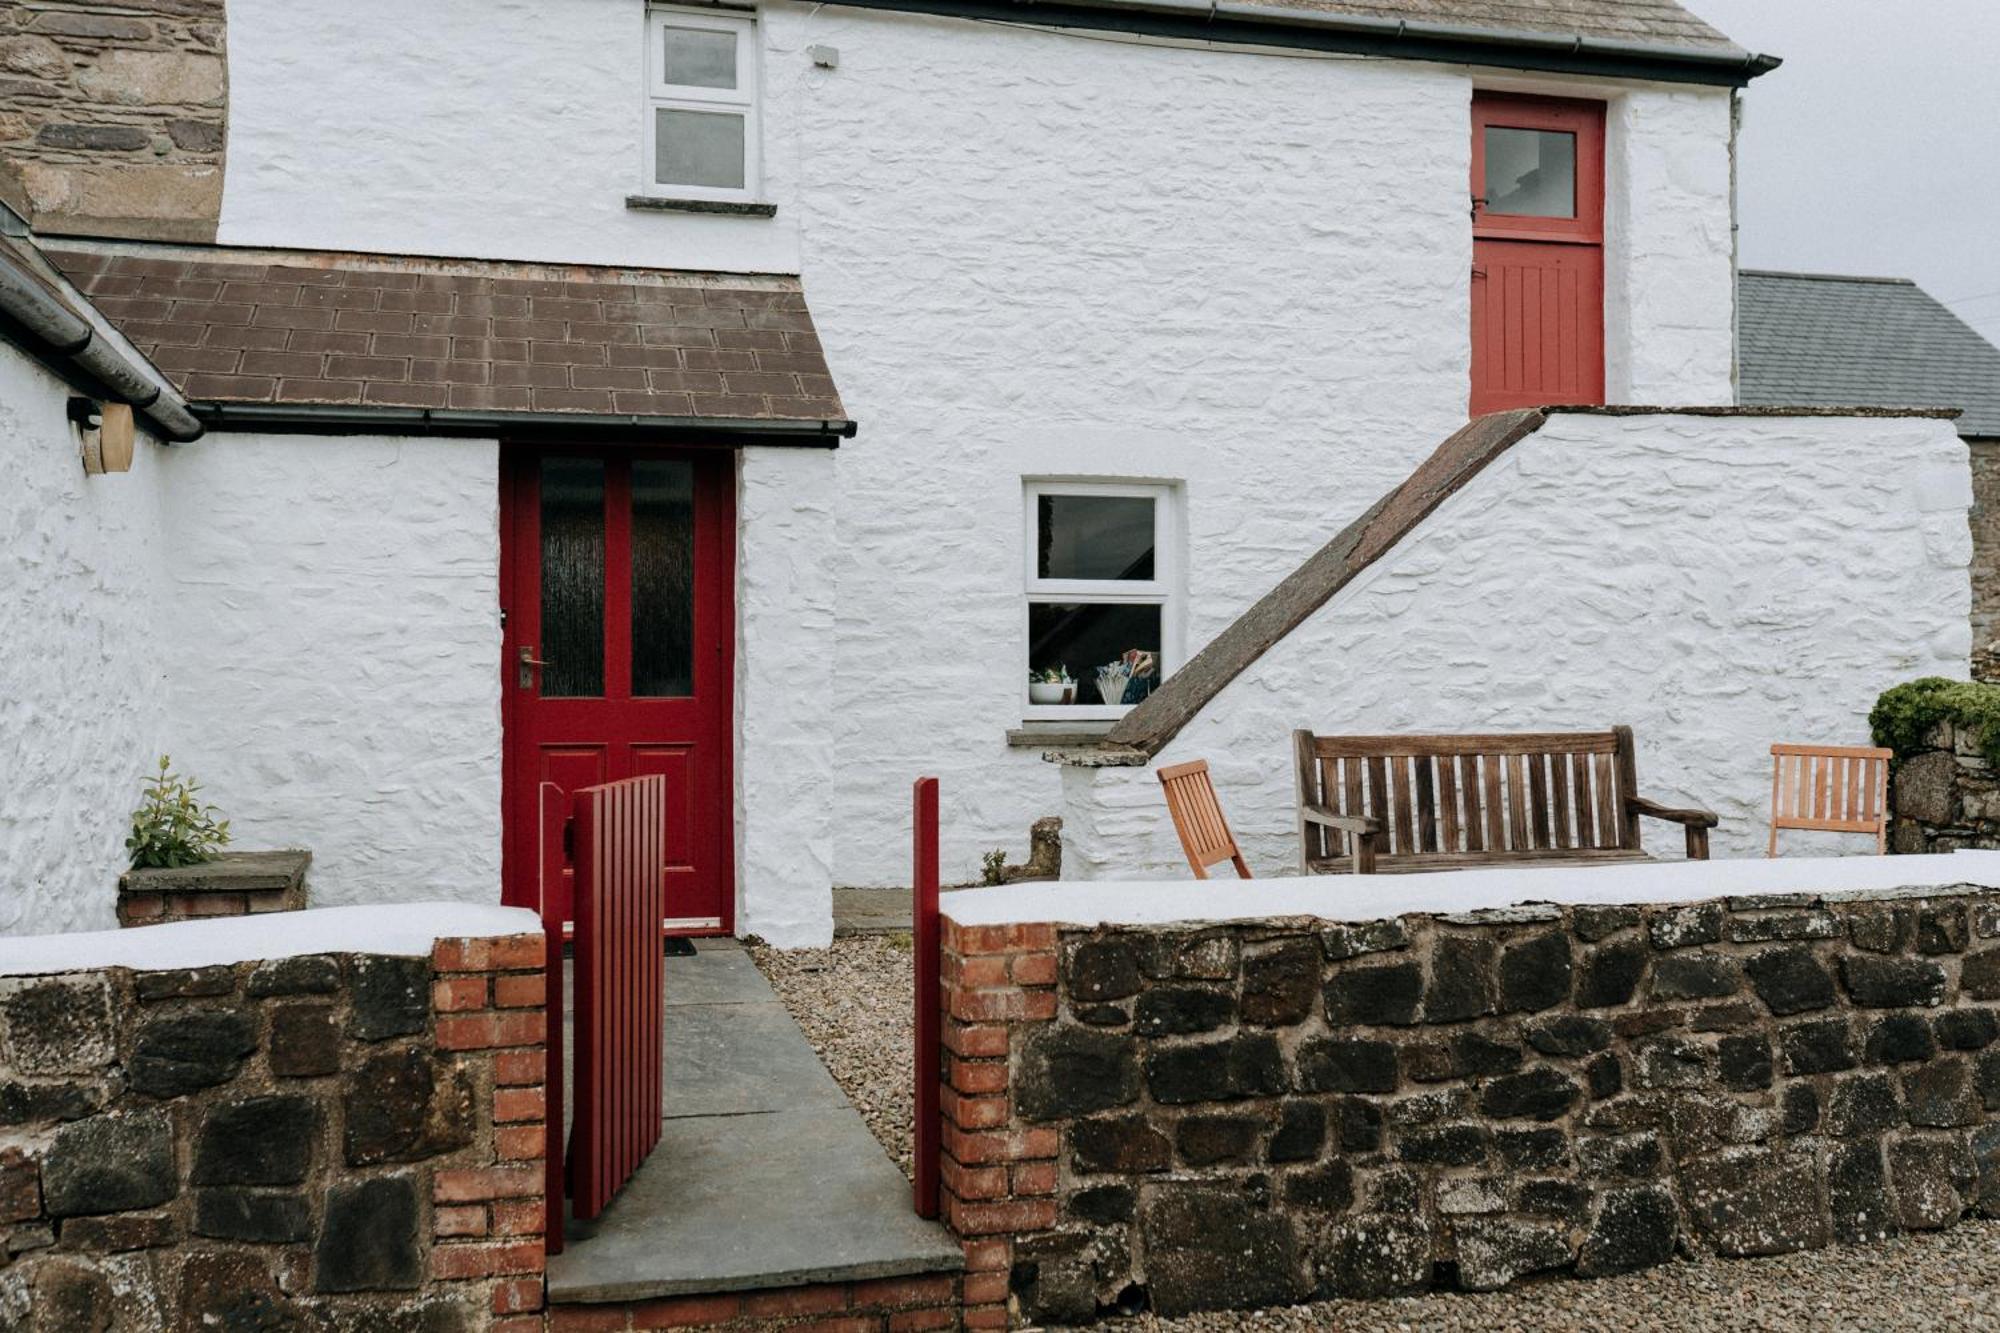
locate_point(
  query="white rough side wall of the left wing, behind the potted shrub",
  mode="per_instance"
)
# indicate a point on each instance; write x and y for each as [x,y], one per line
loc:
[83,710]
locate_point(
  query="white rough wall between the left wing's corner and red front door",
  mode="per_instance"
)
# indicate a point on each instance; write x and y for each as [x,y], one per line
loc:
[331,631]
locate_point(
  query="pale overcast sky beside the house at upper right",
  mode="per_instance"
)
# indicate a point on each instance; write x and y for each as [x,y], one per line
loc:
[1875,149]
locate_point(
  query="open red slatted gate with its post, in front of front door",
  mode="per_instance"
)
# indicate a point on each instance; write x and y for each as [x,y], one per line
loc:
[617,850]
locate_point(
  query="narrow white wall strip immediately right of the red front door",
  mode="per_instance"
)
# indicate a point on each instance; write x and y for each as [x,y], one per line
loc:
[785,676]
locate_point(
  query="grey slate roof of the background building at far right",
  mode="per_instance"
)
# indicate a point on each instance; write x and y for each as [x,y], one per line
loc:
[1825,339]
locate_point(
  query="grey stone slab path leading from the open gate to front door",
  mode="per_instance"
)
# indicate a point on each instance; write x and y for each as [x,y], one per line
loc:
[765,1174]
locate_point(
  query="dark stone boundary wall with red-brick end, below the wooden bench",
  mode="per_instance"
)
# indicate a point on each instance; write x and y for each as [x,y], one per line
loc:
[1271,1112]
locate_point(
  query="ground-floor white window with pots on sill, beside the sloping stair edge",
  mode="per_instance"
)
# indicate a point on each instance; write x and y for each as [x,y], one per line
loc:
[1103,607]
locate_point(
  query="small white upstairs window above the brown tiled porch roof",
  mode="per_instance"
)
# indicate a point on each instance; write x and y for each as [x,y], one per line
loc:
[701,105]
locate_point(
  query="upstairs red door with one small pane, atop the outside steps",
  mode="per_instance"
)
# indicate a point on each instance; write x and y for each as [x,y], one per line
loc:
[1537,251]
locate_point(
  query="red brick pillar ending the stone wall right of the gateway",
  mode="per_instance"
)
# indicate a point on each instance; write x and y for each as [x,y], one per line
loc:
[999,1176]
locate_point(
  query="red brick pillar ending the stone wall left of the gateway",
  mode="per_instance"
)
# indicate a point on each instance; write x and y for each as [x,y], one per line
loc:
[487,1212]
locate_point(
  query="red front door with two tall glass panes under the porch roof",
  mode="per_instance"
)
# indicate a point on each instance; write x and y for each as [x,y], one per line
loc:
[619,593]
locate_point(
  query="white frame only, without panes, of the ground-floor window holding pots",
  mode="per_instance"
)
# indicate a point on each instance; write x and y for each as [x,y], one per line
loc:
[1161,591]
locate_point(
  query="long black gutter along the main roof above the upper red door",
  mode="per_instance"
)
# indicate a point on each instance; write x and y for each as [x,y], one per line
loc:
[1263,25]
